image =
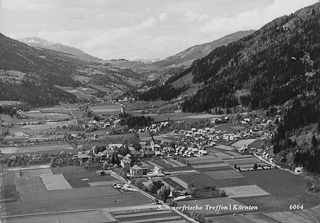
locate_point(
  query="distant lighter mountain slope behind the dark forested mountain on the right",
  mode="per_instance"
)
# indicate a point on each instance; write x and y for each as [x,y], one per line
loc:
[186,57]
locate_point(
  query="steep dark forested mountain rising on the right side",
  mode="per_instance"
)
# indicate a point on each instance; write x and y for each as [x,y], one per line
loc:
[273,65]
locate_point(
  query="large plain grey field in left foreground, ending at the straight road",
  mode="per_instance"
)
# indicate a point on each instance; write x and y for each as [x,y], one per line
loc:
[73,199]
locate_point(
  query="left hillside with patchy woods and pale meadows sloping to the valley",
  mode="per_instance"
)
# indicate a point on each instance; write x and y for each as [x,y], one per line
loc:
[45,77]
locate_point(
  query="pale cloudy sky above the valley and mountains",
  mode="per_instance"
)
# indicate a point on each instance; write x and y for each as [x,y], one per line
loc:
[130,29]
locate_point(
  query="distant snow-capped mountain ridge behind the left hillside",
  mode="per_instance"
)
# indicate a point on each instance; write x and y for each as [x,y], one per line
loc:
[41,43]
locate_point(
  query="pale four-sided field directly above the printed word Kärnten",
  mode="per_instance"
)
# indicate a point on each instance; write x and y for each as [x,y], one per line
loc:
[244,191]
